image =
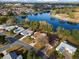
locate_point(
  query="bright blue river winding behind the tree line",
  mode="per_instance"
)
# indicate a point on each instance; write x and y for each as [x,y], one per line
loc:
[55,22]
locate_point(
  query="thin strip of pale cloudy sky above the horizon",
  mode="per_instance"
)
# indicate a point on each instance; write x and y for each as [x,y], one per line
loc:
[39,0]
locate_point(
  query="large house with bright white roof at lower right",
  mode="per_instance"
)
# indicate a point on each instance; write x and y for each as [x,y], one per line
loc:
[64,46]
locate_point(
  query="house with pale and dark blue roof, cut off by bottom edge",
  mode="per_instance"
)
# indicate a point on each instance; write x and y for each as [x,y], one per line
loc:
[12,55]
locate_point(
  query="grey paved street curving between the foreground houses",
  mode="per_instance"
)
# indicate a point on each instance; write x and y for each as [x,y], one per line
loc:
[23,45]
